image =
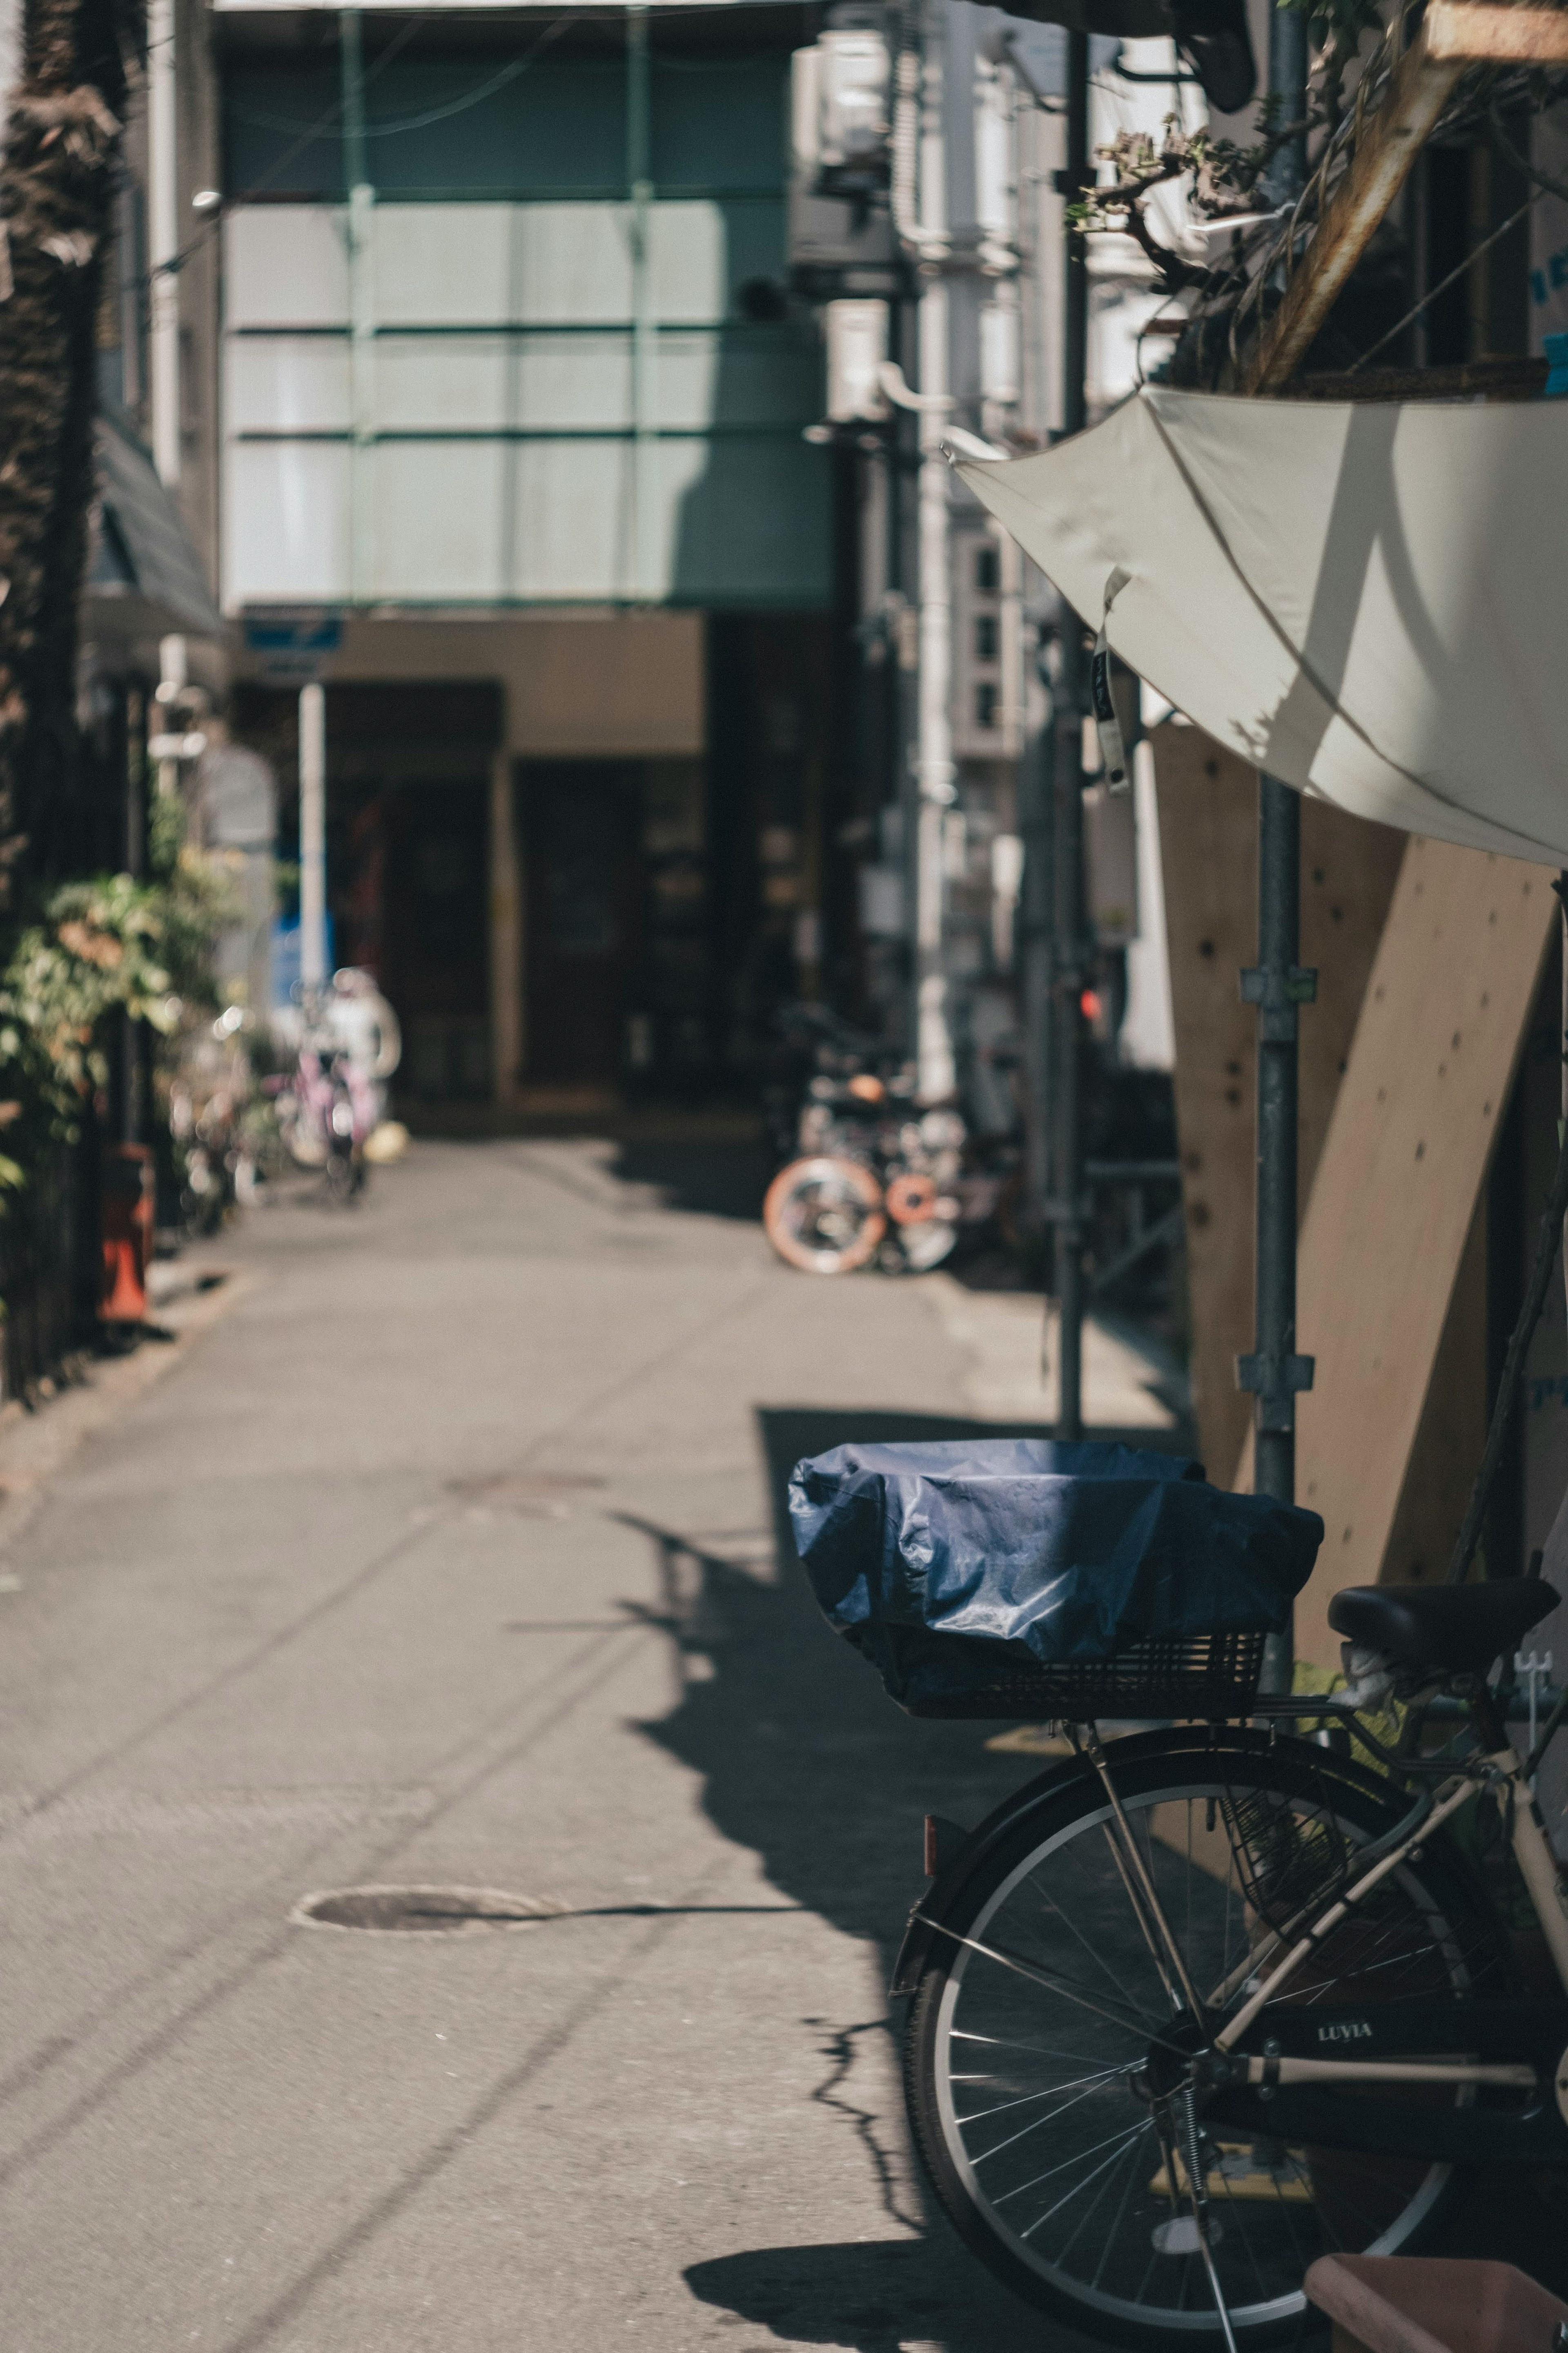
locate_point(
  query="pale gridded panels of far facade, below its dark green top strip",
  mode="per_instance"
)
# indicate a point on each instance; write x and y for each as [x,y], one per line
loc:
[735,514]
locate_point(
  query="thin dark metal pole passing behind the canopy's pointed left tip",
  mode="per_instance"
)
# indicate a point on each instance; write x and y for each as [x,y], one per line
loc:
[1071,926]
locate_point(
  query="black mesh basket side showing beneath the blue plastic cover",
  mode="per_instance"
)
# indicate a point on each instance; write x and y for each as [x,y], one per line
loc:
[1209,1674]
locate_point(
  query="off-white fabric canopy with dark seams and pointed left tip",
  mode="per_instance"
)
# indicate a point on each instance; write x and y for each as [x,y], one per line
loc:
[1369,601]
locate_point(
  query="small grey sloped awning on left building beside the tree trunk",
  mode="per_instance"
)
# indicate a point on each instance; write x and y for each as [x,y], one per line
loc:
[142,571]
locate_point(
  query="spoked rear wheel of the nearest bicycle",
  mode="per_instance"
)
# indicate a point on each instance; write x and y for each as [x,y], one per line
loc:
[1040,2004]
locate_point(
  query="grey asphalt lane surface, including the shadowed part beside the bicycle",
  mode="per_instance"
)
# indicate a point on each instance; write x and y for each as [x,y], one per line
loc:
[448,1559]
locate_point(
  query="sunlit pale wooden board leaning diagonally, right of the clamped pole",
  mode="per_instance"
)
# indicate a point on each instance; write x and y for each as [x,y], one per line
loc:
[1398,1189]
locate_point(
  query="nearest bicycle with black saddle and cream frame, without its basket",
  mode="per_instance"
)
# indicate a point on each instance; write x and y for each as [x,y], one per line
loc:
[1207,2004]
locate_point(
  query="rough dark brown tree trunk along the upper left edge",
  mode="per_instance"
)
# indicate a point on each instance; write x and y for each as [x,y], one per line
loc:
[58,185]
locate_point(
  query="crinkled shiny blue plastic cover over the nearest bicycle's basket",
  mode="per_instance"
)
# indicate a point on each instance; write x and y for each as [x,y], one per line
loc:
[949,1564]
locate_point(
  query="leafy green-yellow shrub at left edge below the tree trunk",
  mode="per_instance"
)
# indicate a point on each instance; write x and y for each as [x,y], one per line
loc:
[98,949]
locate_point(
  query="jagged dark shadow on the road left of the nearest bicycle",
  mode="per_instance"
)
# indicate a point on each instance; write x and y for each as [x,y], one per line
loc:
[810,1766]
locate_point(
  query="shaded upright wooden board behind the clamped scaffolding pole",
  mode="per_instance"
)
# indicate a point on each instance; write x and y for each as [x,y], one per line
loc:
[1209,855]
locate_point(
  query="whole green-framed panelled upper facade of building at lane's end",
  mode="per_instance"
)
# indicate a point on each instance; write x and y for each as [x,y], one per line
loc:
[528,413]
